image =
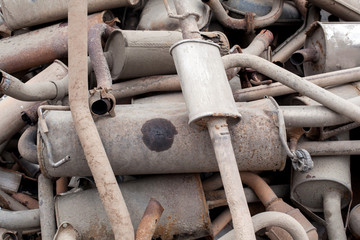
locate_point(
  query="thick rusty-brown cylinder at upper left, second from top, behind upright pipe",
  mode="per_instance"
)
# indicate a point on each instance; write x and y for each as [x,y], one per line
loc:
[40,46]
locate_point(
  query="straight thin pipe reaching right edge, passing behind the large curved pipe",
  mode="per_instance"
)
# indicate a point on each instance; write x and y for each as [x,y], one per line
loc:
[278,89]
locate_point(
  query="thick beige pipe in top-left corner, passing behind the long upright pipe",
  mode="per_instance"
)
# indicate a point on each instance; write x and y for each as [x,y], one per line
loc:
[20,13]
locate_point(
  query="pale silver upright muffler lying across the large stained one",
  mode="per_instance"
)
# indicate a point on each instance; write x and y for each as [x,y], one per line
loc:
[209,93]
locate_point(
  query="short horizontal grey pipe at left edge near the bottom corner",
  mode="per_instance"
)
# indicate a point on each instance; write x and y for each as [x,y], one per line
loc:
[17,220]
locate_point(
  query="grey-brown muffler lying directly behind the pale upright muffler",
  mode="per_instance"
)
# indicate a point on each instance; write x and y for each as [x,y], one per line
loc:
[133,53]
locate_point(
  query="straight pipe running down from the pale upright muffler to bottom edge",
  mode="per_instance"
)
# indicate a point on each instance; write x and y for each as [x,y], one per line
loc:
[220,137]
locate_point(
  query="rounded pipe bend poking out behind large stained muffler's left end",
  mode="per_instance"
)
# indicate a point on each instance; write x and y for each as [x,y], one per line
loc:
[27,144]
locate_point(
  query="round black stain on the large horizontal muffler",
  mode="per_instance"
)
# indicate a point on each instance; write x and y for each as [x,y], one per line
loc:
[158,134]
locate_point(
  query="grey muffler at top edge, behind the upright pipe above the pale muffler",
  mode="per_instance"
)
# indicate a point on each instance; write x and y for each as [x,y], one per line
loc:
[155,17]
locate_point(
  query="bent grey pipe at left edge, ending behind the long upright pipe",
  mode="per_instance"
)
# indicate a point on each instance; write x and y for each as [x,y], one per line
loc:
[39,91]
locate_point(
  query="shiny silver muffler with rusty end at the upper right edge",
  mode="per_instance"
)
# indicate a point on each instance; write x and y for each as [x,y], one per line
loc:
[337,44]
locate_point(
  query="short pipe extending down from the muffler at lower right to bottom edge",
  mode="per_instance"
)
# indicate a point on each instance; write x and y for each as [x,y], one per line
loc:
[332,211]
